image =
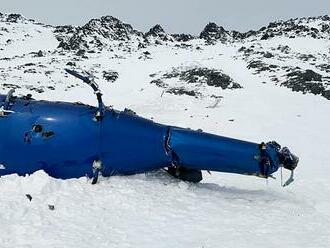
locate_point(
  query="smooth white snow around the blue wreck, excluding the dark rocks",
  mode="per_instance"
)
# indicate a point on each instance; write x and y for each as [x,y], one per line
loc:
[153,209]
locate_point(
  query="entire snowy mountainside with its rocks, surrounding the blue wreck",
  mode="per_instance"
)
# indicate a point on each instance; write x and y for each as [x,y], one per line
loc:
[166,77]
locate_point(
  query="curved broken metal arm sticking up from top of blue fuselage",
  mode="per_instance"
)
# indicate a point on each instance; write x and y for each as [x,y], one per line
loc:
[90,81]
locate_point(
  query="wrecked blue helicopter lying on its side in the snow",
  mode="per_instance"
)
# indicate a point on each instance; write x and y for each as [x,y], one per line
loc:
[69,140]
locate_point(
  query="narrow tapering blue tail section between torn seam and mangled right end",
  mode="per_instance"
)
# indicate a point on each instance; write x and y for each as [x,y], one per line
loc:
[203,151]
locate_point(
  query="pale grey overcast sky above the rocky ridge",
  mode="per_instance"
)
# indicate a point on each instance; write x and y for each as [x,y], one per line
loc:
[176,16]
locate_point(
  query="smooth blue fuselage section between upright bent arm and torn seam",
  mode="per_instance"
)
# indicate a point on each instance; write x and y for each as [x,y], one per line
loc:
[131,144]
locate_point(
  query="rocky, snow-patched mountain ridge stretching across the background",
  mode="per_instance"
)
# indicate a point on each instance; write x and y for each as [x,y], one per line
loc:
[292,53]
